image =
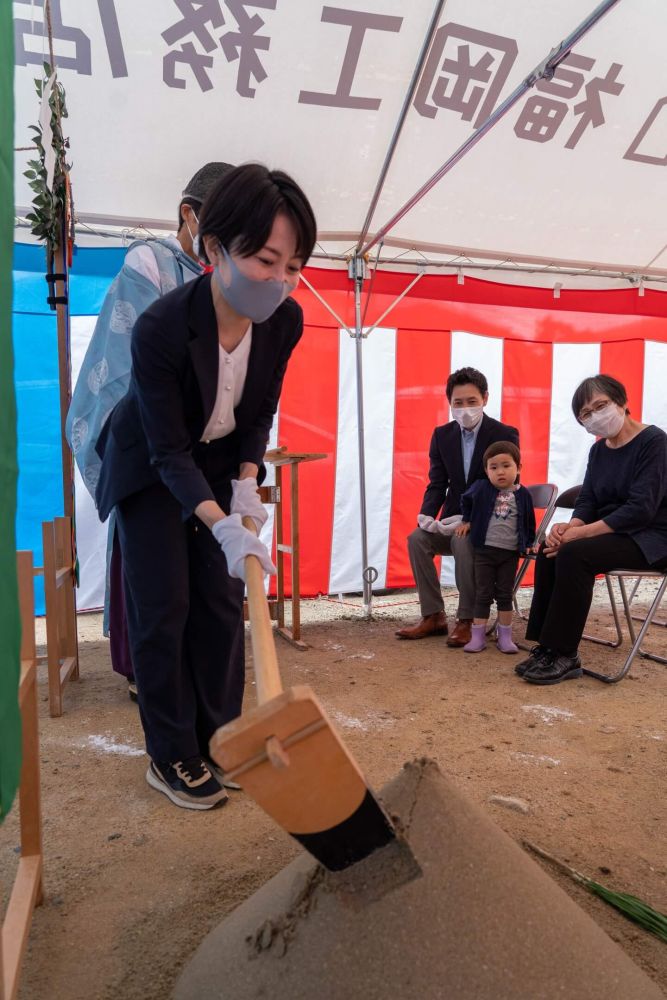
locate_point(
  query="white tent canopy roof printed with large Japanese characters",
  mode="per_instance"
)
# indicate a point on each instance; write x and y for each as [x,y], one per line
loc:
[574,174]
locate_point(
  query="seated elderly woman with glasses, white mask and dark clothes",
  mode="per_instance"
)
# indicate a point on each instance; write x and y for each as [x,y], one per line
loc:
[619,522]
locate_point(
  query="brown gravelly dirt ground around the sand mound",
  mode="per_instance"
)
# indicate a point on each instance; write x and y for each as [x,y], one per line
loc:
[133,884]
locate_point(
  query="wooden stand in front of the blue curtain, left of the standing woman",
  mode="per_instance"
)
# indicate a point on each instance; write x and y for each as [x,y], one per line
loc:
[62,649]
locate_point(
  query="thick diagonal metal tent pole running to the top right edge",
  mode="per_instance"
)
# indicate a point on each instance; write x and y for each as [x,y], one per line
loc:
[545,70]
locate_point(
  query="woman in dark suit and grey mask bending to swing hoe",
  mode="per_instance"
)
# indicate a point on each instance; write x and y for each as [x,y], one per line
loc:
[181,461]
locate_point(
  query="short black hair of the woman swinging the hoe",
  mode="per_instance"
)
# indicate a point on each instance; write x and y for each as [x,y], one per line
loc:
[241,209]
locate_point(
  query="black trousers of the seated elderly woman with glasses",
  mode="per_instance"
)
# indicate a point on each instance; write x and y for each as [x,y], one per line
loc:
[564,587]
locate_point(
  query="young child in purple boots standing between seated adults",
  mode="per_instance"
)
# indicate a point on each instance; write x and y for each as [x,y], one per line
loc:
[498,513]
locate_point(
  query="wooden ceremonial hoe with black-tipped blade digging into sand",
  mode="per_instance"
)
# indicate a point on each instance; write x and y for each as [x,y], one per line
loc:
[287,755]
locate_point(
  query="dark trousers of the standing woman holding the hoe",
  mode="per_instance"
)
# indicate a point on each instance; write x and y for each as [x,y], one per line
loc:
[185,625]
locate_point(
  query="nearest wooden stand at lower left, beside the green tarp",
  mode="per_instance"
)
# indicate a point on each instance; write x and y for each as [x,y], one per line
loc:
[27,892]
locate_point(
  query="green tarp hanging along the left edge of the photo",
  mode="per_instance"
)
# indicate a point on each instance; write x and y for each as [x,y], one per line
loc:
[10,721]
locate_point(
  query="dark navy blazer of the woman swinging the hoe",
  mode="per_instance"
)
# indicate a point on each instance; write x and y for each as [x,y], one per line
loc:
[152,431]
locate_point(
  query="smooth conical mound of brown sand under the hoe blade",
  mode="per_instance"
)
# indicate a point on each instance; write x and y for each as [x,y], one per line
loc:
[482,922]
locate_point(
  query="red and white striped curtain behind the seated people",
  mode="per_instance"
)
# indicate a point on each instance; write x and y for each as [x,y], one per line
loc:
[534,350]
